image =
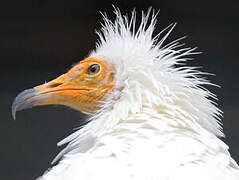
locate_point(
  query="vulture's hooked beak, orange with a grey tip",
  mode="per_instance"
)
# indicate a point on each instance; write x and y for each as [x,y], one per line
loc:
[59,91]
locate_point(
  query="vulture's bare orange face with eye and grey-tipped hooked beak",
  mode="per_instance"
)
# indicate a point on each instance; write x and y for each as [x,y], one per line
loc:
[83,87]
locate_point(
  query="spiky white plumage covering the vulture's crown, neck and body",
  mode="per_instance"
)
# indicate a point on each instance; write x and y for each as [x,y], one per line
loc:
[159,123]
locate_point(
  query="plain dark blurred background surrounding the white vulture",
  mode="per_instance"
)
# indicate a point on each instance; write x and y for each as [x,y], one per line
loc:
[41,39]
